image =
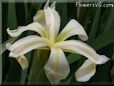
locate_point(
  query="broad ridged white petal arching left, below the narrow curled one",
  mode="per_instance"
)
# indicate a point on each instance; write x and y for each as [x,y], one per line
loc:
[25,45]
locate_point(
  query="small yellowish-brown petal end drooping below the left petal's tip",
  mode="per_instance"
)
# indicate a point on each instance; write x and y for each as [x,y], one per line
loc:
[22,61]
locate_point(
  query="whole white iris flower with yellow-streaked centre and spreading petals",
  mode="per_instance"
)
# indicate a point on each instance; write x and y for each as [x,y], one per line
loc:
[47,24]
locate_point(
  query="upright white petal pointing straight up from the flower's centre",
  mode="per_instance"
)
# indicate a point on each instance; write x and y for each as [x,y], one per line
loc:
[53,22]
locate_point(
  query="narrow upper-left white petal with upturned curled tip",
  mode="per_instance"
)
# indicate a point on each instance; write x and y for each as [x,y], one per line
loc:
[33,27]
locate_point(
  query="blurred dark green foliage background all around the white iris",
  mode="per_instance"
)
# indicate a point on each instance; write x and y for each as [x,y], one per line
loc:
[97,21]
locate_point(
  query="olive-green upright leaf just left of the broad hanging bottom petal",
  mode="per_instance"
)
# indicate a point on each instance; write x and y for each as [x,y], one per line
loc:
[37,74]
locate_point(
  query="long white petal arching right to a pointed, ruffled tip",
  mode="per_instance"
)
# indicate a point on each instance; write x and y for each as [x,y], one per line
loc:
[75,46]
